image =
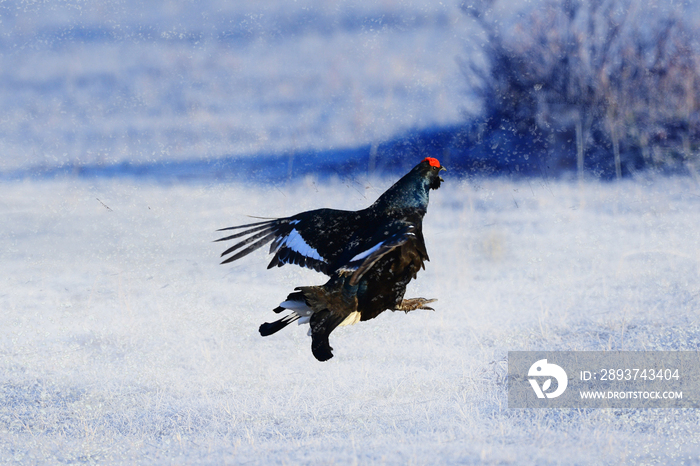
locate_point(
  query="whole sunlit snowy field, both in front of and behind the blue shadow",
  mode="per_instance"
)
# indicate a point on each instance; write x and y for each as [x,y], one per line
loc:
[122,339]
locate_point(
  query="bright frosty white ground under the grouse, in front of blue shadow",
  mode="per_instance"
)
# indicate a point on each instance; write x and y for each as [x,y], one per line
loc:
[122,339]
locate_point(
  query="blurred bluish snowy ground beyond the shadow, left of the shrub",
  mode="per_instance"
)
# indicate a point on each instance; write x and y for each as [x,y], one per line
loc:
[110,81]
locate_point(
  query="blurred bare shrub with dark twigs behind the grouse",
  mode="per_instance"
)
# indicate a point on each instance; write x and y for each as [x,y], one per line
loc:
[613,85]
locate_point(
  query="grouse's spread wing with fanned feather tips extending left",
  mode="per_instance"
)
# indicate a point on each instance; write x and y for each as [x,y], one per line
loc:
[313,239]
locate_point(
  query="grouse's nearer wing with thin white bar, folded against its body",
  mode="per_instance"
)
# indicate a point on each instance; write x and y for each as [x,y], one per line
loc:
[395,234]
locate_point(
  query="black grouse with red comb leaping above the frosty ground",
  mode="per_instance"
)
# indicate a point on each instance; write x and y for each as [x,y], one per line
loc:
[369,254]
